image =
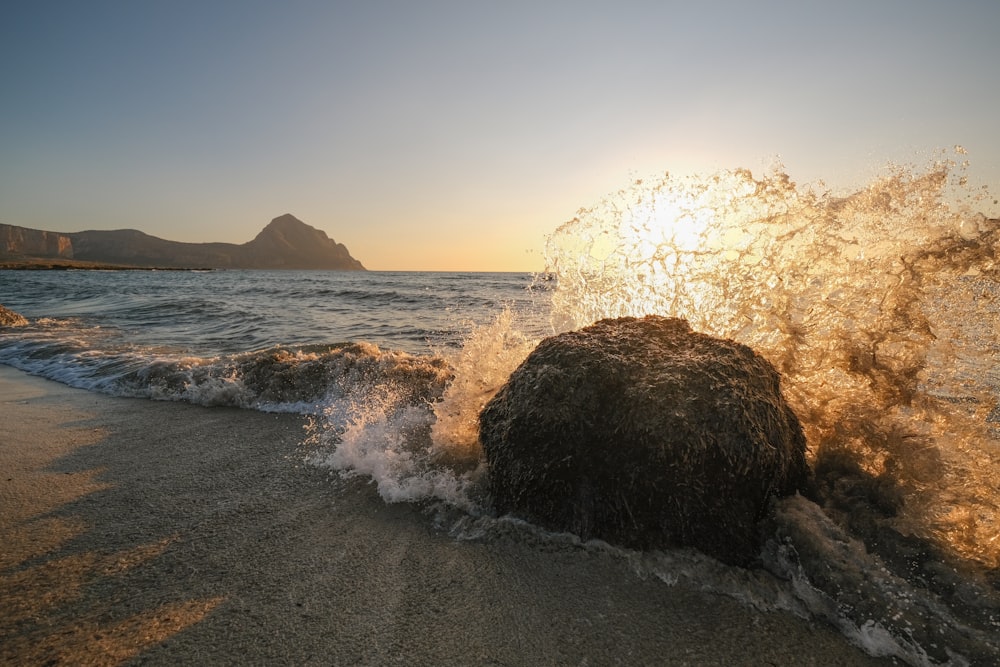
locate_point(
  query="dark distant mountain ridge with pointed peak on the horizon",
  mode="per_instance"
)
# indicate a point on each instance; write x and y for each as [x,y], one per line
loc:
[285,243]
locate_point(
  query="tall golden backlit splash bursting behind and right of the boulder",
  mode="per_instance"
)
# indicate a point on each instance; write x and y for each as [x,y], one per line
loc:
[880,309]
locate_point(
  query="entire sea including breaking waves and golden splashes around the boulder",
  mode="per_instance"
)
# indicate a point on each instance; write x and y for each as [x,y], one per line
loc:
[880,308]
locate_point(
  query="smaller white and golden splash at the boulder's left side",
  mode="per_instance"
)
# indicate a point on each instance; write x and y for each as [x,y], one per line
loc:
[421,445]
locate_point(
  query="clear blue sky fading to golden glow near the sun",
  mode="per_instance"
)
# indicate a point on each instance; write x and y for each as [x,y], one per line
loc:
[457,135]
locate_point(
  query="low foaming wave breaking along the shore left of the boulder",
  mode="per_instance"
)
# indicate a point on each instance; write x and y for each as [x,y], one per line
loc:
[305,379]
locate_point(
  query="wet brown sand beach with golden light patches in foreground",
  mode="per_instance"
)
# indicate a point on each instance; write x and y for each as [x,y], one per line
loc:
[165,534]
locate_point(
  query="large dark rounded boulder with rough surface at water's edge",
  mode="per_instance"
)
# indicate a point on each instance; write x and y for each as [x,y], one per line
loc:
[645,434]
